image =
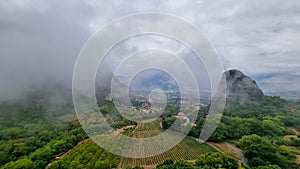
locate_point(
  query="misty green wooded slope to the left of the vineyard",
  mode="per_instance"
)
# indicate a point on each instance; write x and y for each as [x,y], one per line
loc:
[31,134]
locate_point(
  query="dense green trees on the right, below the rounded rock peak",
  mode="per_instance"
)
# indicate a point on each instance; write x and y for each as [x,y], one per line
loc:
[266,124]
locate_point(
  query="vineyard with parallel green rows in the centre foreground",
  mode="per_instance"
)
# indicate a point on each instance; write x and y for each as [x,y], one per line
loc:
[89,155]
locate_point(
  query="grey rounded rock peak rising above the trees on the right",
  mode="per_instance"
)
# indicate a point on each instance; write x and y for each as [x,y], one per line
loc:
[241,88]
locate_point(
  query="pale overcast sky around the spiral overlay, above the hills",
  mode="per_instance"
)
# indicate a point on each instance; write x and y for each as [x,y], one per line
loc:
[40,40]
